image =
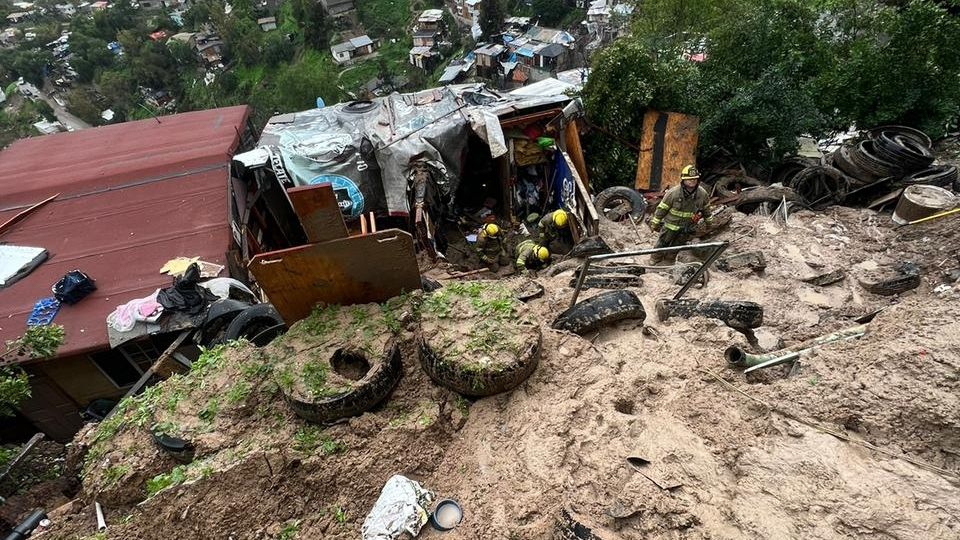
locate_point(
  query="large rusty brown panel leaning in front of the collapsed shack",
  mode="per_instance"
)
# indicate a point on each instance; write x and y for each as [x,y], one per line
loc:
[356,270]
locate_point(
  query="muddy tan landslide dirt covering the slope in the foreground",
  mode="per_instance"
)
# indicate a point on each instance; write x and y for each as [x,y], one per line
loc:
[548,459]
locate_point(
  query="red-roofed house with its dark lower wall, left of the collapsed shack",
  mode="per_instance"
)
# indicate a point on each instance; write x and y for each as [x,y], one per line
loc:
[123,200]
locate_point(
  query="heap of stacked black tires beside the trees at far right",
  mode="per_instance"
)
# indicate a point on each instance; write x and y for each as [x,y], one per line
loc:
[885,158]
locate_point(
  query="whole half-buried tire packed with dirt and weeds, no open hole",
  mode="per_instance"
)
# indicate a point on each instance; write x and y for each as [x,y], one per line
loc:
[477,338]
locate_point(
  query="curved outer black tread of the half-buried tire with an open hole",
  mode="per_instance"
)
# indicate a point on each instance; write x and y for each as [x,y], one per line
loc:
[365,394]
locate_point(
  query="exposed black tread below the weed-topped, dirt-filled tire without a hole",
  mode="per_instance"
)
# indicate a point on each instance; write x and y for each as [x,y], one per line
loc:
[469,380]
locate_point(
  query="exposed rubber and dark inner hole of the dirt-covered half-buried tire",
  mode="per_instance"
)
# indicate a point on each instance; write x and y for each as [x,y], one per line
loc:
[373,387]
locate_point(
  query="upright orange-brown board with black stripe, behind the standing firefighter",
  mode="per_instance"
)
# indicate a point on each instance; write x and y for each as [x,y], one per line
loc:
[667,144]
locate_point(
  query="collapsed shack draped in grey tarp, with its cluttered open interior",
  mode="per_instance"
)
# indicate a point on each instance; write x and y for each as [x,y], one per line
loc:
[426,162]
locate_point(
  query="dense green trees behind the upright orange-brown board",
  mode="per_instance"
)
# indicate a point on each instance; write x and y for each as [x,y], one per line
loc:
[773,70]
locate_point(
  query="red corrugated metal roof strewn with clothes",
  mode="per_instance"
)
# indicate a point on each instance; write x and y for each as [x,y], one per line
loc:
[133,196]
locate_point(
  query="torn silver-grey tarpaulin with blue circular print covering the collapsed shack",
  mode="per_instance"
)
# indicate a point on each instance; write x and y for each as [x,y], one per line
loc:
[366,150]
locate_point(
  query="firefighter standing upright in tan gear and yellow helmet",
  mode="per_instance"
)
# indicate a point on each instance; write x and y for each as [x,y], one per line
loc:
[679,212]
